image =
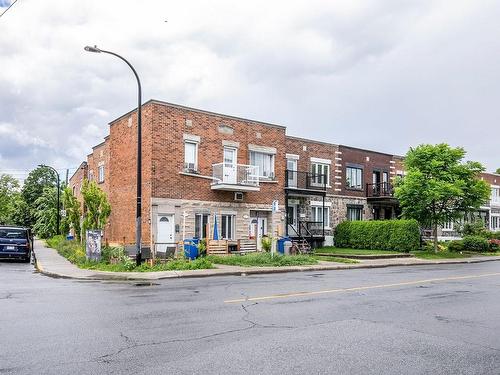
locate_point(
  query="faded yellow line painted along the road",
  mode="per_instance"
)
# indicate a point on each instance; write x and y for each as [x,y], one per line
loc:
[329,291]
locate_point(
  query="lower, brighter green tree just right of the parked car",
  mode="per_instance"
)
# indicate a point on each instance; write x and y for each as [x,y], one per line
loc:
[46,213]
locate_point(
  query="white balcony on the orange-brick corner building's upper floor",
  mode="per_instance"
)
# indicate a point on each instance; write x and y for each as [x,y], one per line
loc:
[235,177]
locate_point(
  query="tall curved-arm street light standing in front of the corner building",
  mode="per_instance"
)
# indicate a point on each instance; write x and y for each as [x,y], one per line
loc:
[139,153]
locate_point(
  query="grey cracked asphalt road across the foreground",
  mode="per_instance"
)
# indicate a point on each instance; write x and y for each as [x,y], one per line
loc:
[401,320]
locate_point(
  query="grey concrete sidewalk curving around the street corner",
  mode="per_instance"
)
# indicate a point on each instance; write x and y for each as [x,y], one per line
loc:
[50,263]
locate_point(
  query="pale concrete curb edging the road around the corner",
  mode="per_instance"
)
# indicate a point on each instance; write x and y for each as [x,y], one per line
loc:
[151,276]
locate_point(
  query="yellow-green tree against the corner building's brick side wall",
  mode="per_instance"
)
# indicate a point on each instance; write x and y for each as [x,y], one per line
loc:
[96,205]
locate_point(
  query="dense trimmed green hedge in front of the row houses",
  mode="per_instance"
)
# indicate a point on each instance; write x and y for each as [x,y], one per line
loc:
[400,235]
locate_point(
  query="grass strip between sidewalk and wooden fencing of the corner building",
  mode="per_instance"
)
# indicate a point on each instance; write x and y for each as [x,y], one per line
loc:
[263,260]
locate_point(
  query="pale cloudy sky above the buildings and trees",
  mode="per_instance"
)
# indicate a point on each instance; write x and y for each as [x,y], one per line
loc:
[381,75]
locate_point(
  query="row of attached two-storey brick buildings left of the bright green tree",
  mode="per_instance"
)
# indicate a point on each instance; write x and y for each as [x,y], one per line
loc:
[199,167]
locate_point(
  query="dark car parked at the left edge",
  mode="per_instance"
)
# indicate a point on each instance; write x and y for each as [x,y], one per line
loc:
[16,243]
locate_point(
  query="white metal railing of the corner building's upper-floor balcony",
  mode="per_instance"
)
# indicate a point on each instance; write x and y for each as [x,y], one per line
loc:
[235,174]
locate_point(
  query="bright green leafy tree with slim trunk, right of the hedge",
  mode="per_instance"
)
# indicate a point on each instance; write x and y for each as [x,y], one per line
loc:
[439,186]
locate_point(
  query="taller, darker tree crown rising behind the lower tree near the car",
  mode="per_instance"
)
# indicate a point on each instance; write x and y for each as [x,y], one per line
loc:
[33,188]
